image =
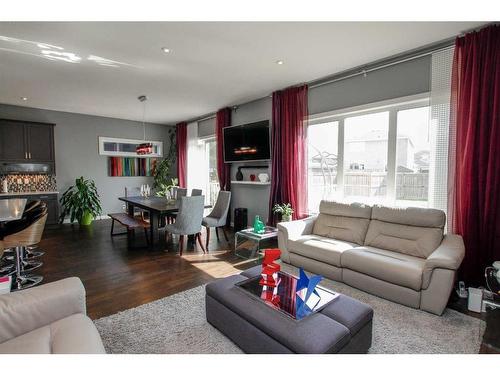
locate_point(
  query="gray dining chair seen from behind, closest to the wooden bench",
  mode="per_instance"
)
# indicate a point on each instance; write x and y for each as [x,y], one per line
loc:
[188,221]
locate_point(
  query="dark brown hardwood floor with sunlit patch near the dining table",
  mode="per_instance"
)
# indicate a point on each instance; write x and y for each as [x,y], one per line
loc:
[117,277]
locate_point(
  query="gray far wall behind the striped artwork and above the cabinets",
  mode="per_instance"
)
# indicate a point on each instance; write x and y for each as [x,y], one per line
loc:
[76,145]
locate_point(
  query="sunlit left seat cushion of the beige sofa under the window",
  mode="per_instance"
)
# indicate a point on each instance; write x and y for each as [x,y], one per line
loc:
[323,249]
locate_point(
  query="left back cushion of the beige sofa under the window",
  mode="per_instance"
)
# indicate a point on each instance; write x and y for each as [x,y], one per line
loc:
[347,222]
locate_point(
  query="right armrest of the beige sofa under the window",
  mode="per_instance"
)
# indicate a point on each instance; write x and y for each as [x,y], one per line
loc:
[448,255]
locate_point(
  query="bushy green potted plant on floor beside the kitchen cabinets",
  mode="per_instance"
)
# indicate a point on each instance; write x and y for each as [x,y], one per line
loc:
[81,202]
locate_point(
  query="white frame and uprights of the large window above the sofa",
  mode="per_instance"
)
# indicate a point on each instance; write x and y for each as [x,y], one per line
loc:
[393,106]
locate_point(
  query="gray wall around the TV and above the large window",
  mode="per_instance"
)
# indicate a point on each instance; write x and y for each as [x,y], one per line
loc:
[409,78]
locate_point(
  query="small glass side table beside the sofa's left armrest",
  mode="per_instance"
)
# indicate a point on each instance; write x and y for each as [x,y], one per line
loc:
[249,245]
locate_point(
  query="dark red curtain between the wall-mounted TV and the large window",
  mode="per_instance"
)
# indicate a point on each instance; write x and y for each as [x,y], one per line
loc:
[289,171]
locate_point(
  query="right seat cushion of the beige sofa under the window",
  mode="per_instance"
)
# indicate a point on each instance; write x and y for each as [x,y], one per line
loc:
[396,268]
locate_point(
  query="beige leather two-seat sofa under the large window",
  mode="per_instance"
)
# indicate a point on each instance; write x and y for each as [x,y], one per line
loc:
[400,254]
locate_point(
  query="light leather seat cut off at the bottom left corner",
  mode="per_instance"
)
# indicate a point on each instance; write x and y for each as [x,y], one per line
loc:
[46,319]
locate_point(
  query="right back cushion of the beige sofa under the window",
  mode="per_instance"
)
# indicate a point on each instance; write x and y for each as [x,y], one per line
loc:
[413,231]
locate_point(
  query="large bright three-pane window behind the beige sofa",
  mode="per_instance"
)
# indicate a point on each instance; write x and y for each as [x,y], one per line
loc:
[384,154]
